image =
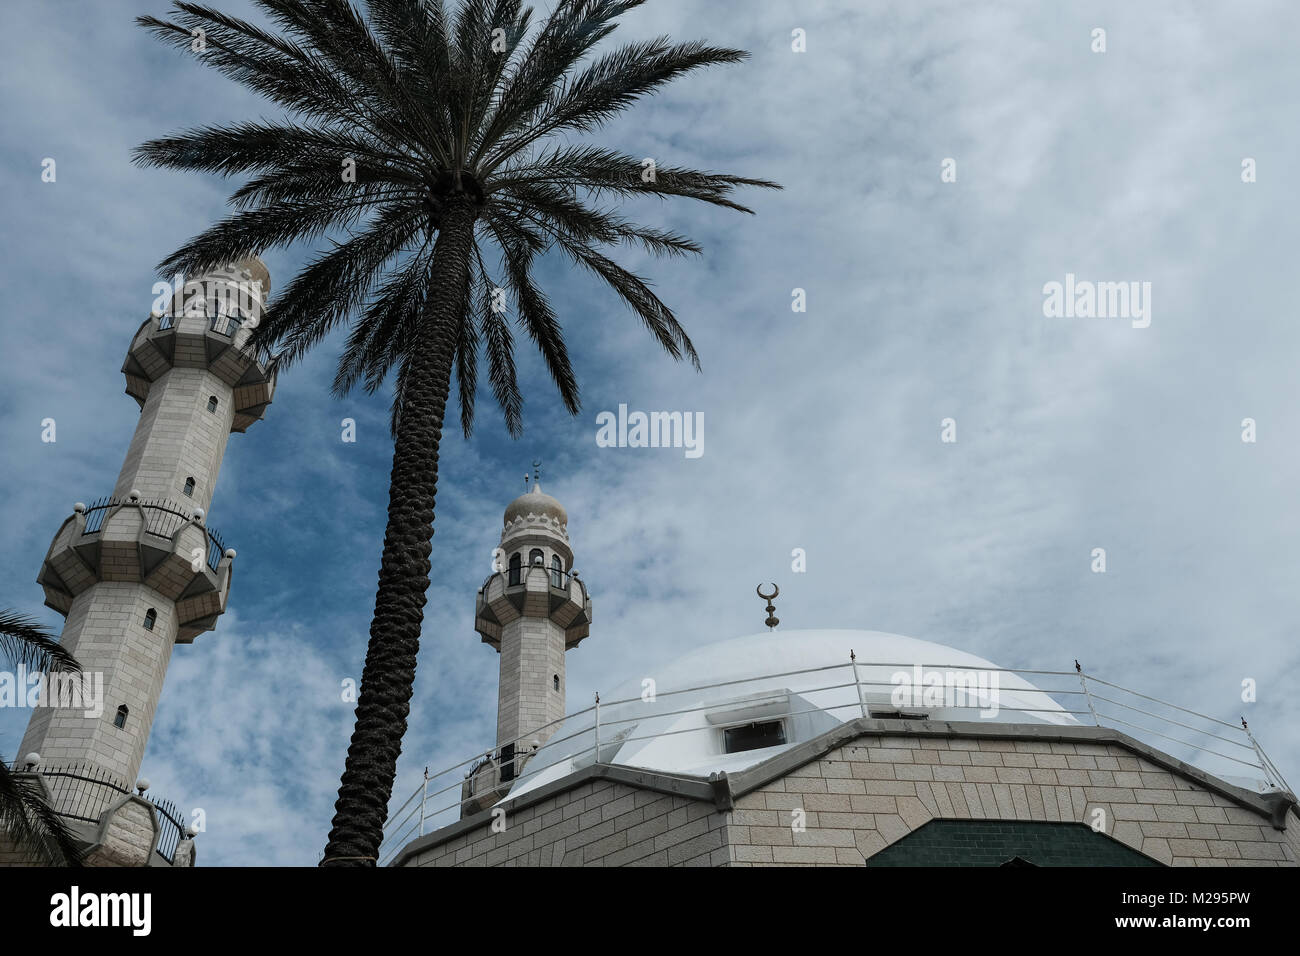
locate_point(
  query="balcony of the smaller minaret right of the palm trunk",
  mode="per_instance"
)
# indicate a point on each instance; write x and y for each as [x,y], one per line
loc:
[534,592]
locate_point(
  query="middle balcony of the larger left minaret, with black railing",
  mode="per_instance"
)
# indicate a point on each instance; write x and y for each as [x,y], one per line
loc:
[161,544]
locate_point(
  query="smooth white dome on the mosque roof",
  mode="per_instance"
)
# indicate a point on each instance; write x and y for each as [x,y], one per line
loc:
[803,678]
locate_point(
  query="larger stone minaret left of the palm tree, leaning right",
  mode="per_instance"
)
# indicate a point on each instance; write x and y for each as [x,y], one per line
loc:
[142,570]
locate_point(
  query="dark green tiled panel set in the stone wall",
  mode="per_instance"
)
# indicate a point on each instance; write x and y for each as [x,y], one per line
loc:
[1002,842]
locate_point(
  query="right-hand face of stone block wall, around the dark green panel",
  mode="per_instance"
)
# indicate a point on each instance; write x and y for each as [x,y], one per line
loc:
[864,797]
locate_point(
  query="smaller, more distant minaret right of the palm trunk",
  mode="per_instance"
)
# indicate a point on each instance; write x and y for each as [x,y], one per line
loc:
[532,611]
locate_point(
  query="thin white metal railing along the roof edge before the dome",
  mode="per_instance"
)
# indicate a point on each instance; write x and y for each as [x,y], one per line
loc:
[1217,747]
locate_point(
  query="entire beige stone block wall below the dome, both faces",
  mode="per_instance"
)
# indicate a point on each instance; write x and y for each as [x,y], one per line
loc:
[856,799]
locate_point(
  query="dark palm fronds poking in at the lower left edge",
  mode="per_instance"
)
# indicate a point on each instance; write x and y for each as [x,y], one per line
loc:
[25,816]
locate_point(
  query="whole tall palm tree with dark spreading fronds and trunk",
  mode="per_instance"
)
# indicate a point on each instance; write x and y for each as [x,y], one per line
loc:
[439,141]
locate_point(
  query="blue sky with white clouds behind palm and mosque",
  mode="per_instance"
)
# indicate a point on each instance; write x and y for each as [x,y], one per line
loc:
[824,429]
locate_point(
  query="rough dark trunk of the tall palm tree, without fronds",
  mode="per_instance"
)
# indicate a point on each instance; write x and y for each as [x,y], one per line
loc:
[389,676]
